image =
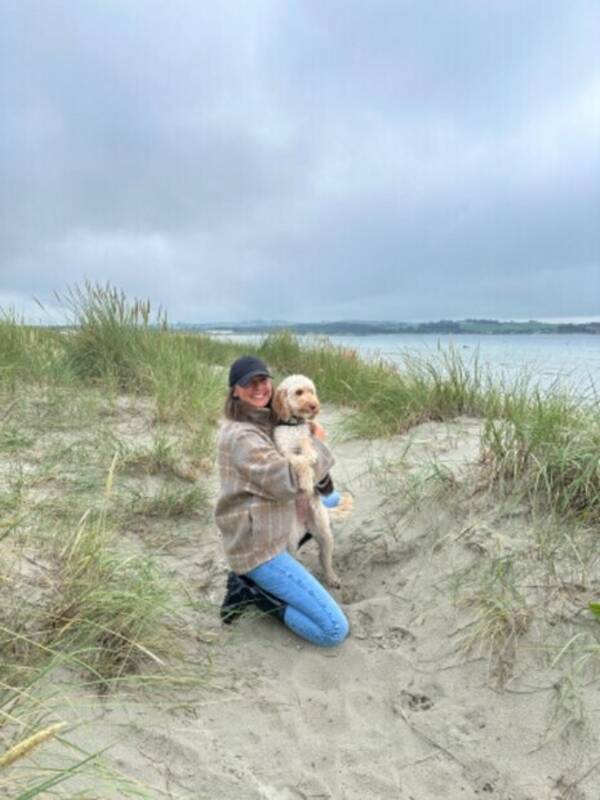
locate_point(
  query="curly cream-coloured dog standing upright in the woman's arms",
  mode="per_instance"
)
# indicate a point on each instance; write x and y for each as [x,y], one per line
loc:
[296,404]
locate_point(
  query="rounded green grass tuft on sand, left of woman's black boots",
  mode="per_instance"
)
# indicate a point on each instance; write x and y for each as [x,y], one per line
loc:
[110,608]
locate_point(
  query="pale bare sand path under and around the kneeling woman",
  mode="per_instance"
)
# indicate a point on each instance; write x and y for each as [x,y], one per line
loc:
[403,709]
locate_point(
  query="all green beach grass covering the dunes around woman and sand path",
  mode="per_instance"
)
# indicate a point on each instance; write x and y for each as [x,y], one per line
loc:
[111,420]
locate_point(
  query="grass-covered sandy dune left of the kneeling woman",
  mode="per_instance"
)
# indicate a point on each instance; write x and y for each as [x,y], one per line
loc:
[81,594]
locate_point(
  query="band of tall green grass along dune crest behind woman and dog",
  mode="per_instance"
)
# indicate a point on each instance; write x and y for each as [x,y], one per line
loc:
[542,444]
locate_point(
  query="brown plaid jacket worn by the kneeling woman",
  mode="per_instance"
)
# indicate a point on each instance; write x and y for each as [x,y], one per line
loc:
[256,509]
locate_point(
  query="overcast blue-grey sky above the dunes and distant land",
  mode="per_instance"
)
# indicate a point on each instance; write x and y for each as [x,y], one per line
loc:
[302,160]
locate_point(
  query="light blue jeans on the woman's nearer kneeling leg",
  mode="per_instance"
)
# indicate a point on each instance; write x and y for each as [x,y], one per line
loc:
[310,611]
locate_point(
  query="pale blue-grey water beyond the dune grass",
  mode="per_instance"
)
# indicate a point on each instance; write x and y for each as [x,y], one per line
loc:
[567,360]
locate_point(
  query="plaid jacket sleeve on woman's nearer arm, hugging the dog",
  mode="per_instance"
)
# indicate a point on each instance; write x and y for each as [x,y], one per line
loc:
[261,466]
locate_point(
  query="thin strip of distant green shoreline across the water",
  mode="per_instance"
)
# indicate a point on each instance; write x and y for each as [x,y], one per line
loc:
[350,328]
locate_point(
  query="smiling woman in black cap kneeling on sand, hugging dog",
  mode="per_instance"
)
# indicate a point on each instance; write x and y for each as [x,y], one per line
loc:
[256,512]
